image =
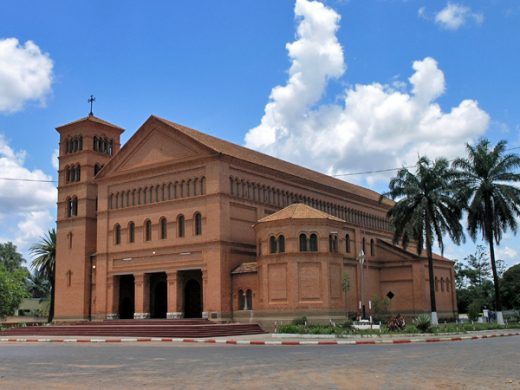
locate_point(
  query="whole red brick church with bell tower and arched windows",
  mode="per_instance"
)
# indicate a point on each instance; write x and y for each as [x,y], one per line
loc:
[180,224]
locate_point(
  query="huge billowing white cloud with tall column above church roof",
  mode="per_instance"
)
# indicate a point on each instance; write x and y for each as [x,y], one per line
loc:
[373,126]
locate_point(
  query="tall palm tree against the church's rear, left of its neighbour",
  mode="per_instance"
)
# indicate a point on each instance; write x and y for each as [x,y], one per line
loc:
[426,210]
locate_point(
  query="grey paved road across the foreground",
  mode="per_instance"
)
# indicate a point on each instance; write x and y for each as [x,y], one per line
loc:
[482,364]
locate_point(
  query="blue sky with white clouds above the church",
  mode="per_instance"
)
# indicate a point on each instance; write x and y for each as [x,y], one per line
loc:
[389,79]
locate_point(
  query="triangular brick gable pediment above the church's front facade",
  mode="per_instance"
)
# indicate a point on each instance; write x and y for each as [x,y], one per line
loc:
[154,144]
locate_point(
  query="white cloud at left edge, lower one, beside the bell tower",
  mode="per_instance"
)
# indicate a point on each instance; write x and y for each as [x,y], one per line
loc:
[26,204]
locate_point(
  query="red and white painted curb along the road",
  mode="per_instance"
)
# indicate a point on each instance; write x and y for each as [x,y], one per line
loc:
[255,342]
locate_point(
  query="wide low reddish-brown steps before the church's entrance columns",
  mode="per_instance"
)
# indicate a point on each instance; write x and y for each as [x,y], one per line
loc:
[189,328]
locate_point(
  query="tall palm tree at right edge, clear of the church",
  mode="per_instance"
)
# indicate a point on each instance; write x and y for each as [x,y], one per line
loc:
[484,179]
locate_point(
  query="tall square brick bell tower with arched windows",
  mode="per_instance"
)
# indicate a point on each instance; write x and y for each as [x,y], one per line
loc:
[86,145]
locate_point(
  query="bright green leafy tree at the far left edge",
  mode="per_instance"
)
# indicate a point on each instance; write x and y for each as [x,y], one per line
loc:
[12,289]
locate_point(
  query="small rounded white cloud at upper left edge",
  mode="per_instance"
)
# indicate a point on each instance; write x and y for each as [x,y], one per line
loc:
[25,74]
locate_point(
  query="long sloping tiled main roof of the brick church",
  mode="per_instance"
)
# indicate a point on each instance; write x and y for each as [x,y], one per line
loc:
[252,156]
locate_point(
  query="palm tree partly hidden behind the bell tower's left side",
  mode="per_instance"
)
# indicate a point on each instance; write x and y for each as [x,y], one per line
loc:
[44,262]
